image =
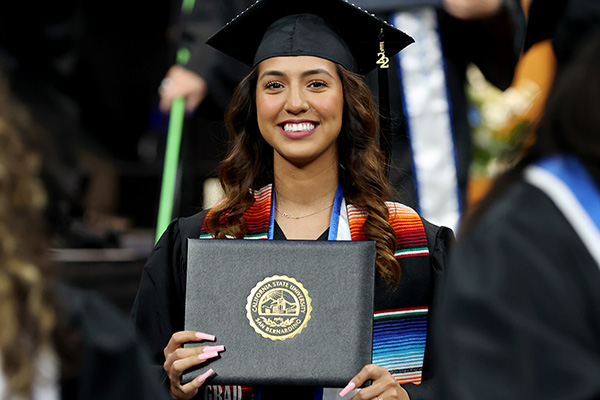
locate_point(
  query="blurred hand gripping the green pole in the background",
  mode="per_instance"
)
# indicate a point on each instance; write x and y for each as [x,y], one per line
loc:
[181,82]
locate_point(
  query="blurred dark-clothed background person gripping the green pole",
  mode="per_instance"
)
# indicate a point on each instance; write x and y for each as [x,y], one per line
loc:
[206,82]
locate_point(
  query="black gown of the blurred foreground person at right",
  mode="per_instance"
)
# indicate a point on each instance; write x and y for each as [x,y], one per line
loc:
[520,314]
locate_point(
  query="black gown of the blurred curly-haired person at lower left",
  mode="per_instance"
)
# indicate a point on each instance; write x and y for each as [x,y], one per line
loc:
[113,364]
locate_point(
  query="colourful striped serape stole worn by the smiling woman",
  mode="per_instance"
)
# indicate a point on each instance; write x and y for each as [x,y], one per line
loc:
[399,335]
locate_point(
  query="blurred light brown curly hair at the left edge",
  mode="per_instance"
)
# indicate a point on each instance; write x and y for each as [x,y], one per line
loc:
[27,307]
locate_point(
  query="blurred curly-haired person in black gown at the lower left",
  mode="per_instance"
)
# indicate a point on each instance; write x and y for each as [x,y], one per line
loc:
[56,342]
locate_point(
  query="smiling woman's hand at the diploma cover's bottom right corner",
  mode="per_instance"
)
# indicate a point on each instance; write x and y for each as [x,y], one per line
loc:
[384,385]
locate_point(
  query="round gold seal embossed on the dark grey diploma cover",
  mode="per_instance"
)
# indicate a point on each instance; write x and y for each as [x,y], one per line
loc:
[278,307]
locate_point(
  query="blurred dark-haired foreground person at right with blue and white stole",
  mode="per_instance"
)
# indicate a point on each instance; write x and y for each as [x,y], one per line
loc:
[520,313]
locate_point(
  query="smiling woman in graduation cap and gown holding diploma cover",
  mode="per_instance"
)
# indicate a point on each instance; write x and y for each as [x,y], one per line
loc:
[303,130]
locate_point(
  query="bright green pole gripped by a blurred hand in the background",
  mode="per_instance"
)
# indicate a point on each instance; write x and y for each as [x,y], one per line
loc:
[169,179]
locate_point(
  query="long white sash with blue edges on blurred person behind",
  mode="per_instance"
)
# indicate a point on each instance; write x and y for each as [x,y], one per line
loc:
[428,111]
